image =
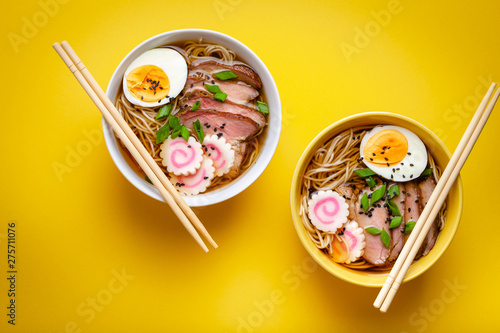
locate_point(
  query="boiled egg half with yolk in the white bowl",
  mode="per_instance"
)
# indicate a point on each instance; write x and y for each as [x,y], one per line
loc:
[155,77]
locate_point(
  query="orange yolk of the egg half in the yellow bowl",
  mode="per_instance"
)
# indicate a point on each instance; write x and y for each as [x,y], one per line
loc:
[386,148]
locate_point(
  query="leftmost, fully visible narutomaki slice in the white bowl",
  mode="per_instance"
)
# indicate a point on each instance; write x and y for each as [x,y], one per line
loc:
[181,157]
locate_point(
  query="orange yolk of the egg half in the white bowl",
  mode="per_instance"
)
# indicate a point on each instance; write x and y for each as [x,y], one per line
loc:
[148,83]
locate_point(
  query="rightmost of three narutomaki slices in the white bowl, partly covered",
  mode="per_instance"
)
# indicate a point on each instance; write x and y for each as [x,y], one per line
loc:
[220,152]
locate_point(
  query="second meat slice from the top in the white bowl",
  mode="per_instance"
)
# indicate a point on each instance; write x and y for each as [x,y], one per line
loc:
[237,92]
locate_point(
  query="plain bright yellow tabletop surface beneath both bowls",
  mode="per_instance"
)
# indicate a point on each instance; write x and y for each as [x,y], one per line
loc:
[96,255]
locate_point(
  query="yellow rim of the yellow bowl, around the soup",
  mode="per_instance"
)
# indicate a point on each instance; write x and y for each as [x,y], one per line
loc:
[323,261]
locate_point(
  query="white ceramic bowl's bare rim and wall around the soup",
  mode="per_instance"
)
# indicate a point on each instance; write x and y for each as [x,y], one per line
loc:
[270,136]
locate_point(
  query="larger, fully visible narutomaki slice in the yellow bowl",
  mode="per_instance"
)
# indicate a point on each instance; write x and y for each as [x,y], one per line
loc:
[328,210]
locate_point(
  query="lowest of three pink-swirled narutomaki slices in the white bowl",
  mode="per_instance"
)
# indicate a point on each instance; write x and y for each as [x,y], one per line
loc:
[197,182]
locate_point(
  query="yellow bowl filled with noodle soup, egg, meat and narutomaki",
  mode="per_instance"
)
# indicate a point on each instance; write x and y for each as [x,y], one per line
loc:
[353,209]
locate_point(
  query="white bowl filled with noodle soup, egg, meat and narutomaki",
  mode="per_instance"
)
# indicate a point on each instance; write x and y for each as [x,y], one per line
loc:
[240,120]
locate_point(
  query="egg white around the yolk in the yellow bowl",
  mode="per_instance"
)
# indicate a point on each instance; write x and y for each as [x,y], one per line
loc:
[403,172]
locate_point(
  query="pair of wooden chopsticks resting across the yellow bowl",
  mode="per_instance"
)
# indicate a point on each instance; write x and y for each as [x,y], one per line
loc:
[450,174]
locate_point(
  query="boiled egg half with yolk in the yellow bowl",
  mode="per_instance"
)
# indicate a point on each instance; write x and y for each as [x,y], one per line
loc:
[394,153]
